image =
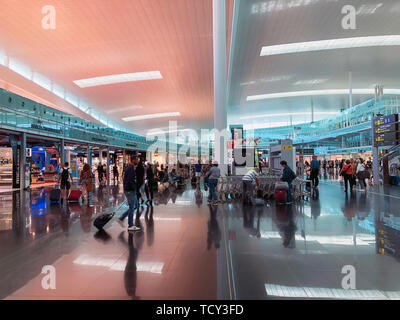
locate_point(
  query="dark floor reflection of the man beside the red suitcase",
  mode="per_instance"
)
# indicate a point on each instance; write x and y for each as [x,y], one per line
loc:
[286,225]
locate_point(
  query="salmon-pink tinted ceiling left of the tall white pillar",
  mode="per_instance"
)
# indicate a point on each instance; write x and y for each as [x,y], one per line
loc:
[98,38]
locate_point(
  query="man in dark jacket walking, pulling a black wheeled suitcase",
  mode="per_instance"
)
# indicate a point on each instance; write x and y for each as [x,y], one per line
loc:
[130,194]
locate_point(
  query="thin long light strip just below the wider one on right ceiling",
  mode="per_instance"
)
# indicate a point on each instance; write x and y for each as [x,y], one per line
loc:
[318,93]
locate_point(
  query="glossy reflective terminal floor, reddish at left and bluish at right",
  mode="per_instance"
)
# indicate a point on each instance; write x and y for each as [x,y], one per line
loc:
[188,250]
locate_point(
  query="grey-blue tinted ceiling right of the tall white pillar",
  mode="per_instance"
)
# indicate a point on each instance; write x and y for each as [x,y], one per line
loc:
[275,22]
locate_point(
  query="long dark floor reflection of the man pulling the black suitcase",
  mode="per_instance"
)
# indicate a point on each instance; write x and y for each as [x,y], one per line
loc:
[134,243]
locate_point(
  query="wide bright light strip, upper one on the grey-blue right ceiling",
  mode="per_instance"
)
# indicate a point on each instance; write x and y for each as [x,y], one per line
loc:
[346,43]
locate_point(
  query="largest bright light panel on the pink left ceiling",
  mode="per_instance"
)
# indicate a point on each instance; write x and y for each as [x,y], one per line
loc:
[118,78]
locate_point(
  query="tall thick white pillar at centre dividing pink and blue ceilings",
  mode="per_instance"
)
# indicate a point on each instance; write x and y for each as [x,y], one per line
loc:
[219,46]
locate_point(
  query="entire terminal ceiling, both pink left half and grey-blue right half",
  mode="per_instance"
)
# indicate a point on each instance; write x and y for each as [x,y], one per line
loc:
[97,38]
